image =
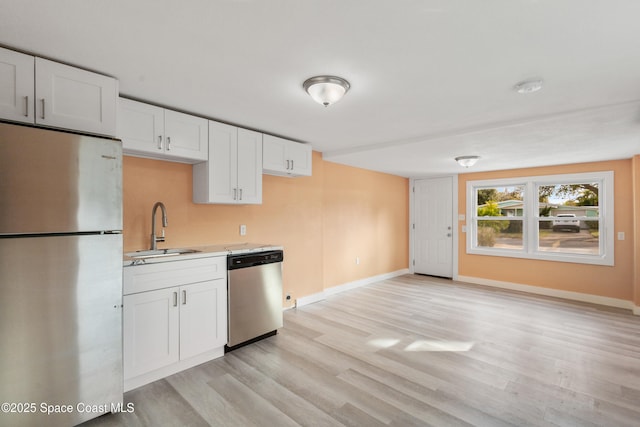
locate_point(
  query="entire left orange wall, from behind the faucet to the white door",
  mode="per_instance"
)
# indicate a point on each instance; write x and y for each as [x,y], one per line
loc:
[317,219]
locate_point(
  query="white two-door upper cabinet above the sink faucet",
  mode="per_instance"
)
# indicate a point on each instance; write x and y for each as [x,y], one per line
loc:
[150,131]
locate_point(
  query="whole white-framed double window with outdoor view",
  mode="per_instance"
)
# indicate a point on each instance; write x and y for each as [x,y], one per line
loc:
[561,217]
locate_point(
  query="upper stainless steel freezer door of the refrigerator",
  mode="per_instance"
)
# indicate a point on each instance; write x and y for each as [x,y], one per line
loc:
[58,182]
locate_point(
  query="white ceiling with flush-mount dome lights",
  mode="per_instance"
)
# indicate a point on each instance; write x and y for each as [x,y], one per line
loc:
[430,79]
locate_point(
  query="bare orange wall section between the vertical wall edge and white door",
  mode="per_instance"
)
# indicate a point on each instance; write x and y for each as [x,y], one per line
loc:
[366,216]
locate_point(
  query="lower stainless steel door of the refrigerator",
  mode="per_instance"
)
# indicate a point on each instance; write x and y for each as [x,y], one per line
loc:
[60,325]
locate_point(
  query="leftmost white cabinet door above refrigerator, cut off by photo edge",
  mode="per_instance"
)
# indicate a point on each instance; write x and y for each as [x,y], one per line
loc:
[16,86]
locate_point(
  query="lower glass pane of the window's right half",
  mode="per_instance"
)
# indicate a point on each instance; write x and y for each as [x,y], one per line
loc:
[582,240]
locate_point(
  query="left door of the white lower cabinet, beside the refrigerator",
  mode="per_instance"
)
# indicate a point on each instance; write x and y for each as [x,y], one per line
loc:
[151,338]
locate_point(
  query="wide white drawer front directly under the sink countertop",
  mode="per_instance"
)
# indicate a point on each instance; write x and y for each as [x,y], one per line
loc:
[141,278]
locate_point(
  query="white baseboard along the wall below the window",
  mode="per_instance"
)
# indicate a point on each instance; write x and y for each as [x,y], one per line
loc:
[576,296]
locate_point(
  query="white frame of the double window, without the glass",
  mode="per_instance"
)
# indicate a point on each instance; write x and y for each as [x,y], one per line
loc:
[531,217]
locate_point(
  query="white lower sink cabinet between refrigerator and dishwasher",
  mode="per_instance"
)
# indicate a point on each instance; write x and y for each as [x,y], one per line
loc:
[174,328]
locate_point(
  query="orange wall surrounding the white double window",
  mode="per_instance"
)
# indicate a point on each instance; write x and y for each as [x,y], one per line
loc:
[609,281]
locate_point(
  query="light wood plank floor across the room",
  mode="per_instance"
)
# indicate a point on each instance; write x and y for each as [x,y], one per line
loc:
[415,351]
